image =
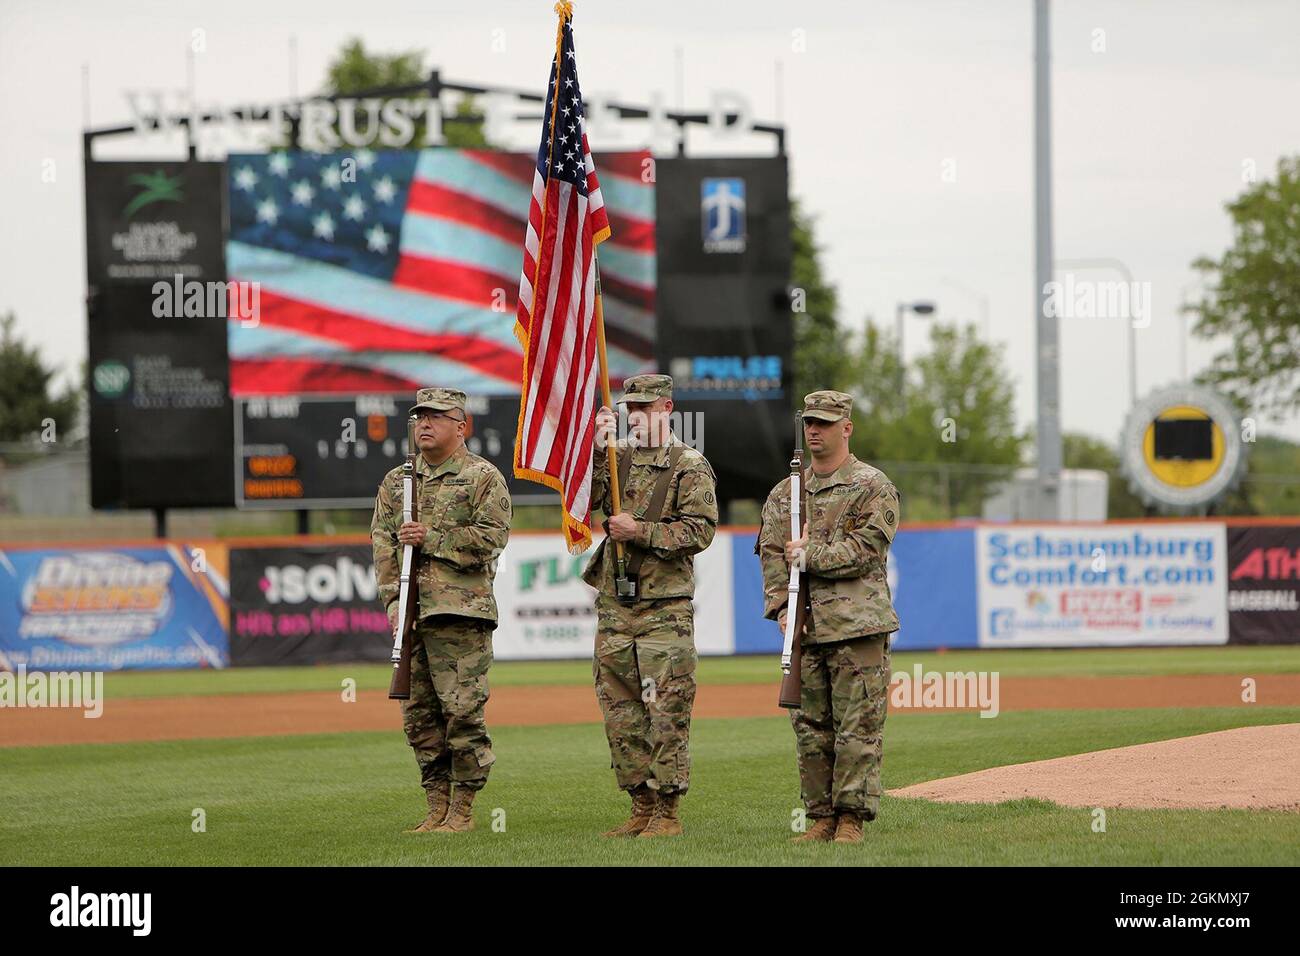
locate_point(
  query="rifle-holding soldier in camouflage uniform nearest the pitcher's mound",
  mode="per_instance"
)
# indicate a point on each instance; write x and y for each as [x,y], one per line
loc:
[852,517]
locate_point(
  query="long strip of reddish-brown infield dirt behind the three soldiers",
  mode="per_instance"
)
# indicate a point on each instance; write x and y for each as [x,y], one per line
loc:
[275,715]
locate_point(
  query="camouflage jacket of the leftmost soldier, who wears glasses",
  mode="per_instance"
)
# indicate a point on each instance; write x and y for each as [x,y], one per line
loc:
[466,505]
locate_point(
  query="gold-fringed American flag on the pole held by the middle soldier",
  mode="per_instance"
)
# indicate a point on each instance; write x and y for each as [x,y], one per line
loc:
[557,318]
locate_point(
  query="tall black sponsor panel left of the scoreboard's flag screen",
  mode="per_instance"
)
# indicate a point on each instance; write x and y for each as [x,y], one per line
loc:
[159,379]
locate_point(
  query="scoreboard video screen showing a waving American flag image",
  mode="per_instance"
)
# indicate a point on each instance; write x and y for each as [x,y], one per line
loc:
[391,271]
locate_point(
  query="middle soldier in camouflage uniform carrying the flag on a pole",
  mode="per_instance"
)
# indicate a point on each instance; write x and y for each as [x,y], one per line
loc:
[645,648]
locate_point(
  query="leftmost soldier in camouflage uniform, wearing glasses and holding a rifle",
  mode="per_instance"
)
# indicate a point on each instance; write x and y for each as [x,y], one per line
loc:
[463,512]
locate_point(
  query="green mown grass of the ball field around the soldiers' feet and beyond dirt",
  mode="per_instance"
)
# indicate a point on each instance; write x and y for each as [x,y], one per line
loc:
[344,799]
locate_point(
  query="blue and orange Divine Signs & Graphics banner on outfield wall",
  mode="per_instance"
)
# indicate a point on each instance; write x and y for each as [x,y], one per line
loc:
[114,608]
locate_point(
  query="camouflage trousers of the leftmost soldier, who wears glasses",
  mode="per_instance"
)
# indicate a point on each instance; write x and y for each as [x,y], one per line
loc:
[444,720]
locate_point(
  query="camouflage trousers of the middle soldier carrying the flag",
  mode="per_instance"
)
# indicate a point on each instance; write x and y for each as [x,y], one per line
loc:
[645,681]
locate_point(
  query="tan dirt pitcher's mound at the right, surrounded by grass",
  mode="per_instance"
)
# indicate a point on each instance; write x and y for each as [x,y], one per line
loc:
[1250,768]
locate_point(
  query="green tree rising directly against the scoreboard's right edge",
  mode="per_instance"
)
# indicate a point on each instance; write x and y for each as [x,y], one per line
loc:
[822,358]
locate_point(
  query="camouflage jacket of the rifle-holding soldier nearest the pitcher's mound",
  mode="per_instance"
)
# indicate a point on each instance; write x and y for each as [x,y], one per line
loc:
[853,516]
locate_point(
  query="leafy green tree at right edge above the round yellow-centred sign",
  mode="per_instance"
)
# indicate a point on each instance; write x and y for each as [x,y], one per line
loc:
[1255,297]
